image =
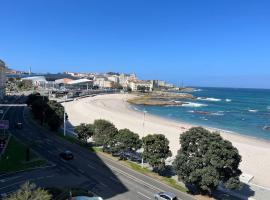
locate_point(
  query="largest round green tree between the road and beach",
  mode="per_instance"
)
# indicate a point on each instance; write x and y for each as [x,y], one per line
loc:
[205,160]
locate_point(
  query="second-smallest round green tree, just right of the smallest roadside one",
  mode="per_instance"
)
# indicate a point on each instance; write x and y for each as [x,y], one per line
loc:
[104,132]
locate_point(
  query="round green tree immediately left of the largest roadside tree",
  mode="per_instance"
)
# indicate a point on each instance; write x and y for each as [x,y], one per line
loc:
[156,150]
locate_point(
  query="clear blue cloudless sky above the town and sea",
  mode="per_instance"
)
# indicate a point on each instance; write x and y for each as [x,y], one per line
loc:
[224,43]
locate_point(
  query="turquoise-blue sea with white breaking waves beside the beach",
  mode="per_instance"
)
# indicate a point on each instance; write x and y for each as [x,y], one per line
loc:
[245,111]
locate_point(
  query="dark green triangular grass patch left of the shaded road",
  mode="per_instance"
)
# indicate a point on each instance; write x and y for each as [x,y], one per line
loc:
[14,158]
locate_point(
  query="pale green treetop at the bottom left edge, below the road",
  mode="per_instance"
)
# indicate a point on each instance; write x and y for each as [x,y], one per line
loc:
[29,191]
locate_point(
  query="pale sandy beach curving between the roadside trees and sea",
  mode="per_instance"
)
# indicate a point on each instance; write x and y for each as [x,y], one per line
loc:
[113,107]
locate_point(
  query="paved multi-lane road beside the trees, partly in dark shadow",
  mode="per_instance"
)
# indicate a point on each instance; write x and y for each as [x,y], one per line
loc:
[103,176]
